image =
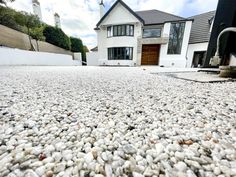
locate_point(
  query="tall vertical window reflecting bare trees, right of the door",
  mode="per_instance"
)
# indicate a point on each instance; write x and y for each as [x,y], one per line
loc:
[176,38]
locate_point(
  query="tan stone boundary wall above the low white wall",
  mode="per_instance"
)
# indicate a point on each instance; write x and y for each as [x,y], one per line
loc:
[15,39]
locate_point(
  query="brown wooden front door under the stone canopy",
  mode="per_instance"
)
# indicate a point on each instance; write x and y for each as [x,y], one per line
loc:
[150,54]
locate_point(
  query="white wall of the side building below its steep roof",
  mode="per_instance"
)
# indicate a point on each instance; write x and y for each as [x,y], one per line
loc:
[195,48]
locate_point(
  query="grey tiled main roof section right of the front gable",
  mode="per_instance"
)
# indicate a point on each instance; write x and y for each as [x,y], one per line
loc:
[151,17]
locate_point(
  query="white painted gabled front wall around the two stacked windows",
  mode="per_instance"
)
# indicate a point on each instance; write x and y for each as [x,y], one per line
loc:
[119,15]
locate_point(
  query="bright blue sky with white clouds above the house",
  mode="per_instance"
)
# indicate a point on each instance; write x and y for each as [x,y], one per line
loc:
[79,17]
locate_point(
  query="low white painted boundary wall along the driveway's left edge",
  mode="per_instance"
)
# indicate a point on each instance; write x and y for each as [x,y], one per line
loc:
[23,57]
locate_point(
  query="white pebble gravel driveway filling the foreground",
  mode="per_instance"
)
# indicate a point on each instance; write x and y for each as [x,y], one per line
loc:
[104,121]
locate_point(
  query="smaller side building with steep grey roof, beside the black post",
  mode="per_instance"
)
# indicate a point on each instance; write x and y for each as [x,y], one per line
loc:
[199,38]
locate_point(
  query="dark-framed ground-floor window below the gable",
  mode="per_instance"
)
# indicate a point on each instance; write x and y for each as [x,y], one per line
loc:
[120,53]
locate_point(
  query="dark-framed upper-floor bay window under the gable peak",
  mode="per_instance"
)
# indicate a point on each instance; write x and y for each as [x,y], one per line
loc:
[120,30]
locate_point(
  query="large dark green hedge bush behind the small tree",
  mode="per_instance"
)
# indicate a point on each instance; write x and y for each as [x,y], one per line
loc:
[57,37]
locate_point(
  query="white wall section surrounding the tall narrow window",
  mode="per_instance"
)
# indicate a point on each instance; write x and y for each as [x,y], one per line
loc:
[175,60]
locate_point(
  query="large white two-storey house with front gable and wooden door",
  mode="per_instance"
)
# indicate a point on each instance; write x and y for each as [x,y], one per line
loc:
[139,38]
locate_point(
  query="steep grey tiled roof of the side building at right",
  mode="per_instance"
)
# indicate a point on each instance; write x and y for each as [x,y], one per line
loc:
[201,27]
